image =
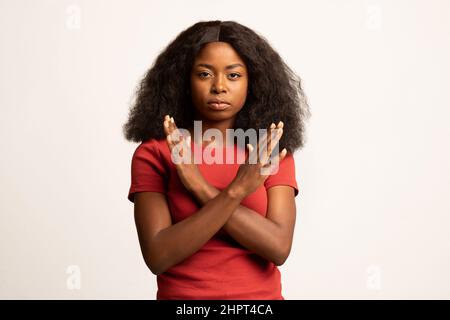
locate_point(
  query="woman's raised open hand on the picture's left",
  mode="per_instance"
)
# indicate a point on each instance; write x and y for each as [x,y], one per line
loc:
[188,173]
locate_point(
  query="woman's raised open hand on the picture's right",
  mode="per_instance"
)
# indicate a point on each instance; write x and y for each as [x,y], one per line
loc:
[257,166]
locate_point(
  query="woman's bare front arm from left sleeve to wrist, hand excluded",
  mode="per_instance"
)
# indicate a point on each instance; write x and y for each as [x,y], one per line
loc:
[164,245]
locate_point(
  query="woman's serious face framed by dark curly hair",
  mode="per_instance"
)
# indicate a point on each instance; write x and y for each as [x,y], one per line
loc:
[218,73]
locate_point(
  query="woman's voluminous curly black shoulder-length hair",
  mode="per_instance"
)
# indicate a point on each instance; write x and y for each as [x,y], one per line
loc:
[275,91]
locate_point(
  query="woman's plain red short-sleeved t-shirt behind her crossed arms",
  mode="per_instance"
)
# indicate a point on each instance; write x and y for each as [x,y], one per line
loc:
[222,268]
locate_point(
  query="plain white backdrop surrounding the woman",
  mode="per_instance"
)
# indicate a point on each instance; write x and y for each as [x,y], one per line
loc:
[374,203]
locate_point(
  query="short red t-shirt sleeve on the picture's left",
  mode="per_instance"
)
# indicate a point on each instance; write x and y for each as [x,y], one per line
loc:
[147,171]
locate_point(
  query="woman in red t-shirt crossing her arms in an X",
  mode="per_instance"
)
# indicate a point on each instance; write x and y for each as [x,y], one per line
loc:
[216,231]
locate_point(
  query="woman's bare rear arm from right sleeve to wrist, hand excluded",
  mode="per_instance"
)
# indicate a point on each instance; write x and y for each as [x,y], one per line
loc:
[270,236]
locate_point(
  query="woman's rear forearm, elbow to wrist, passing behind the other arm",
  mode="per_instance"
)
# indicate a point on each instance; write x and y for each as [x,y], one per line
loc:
[250,229]
